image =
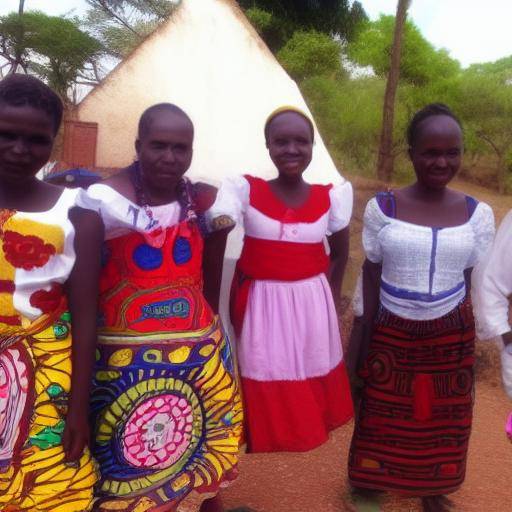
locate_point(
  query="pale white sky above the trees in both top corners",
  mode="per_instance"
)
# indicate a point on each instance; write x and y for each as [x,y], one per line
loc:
[471,30]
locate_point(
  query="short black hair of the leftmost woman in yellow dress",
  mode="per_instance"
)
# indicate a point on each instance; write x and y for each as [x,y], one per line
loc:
[18,90]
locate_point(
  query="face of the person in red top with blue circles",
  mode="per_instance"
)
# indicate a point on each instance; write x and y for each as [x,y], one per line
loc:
[164,149]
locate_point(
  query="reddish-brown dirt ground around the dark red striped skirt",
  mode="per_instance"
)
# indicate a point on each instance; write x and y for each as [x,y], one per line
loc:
[317,481]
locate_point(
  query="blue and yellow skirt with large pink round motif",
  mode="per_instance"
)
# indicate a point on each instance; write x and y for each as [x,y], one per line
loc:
[168,417]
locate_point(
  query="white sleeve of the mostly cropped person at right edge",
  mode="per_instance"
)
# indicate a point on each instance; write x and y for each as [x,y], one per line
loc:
[492,285]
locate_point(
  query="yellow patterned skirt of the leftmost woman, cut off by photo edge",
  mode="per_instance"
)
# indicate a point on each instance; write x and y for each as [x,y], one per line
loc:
[35,381]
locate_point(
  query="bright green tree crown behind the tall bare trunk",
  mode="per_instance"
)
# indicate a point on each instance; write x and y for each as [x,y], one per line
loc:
[420,62]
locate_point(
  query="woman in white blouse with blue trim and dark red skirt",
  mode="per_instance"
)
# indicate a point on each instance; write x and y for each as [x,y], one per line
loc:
[421,242]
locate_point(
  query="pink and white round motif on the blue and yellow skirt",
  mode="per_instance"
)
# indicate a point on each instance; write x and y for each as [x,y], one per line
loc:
[158,432]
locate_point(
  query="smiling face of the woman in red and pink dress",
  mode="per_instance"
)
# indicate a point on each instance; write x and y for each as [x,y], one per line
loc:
[290,143]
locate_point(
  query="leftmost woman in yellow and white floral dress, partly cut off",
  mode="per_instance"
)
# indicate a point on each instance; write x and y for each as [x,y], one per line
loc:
[49,269]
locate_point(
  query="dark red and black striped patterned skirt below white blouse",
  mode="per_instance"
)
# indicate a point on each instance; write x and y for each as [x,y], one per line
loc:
[414,421]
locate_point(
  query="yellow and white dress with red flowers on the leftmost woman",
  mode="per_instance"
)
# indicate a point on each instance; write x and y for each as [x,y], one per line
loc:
[36,258]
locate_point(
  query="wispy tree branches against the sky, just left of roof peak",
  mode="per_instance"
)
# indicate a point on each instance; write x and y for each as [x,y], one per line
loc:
[121,25]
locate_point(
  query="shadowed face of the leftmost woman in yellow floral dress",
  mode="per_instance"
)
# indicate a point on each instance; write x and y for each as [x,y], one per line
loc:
[26,142]
